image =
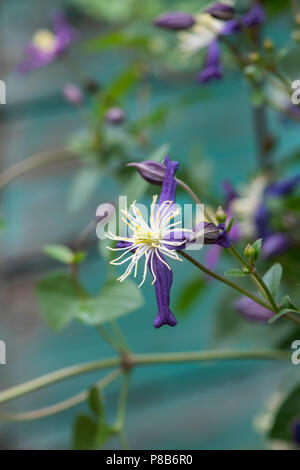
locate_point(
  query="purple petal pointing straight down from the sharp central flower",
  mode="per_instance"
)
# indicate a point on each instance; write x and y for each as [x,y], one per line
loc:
[164,278]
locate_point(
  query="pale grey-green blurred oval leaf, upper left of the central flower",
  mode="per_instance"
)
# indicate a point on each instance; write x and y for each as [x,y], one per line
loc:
[83,186]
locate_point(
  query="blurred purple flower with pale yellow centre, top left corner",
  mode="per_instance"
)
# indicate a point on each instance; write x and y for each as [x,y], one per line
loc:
[46,46]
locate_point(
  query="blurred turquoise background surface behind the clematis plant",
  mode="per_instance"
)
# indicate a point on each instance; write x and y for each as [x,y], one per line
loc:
[198,406]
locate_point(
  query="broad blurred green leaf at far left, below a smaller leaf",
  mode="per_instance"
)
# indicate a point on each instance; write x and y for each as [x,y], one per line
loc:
[57,296]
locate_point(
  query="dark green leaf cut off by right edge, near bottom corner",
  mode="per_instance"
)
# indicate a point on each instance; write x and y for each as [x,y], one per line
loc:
[287,412]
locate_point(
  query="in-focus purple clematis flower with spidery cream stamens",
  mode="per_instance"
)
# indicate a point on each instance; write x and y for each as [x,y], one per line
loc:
[157,240]
